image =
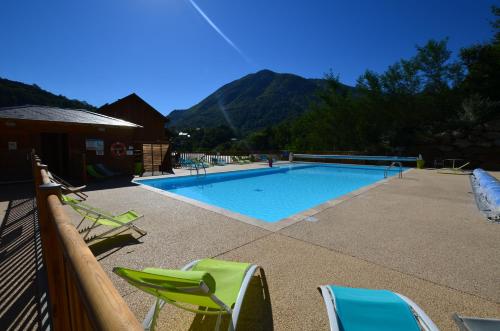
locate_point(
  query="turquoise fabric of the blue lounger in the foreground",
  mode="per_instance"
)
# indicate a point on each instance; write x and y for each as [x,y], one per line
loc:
[365,309]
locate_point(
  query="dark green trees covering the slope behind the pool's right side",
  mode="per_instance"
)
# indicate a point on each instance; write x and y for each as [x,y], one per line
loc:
[414,100]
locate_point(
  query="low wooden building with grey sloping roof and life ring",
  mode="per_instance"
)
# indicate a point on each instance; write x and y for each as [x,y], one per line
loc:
[64,139]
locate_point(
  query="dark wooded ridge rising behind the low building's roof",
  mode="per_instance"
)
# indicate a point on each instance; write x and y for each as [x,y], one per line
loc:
[14,93]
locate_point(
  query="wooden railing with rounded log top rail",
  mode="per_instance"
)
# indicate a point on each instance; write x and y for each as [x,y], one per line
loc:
[81,295]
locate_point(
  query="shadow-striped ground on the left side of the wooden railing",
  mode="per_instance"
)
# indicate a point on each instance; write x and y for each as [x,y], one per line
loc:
[23,287]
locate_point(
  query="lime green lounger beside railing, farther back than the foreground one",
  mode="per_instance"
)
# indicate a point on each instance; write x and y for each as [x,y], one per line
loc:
[101,218]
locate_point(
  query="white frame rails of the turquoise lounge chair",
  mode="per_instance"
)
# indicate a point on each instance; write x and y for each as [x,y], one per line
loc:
[329,298]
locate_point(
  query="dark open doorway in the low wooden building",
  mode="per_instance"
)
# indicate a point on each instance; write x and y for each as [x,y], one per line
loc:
[55,152]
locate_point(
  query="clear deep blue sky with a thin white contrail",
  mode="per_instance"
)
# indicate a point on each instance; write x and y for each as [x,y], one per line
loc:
[166,51]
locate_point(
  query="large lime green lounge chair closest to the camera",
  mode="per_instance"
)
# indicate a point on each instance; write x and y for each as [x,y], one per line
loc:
[207,287]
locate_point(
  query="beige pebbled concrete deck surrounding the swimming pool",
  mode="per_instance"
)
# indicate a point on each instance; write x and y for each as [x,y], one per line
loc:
[421,236]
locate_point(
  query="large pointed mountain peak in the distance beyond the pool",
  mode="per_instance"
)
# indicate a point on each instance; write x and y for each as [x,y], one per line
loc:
[253,102]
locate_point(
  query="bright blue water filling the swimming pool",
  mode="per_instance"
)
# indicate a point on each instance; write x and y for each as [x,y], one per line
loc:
[274,193]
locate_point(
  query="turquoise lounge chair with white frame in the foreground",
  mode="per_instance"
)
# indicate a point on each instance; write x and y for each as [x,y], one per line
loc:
[358,309]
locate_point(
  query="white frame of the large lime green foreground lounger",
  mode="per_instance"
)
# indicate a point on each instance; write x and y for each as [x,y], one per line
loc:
[151,318]
